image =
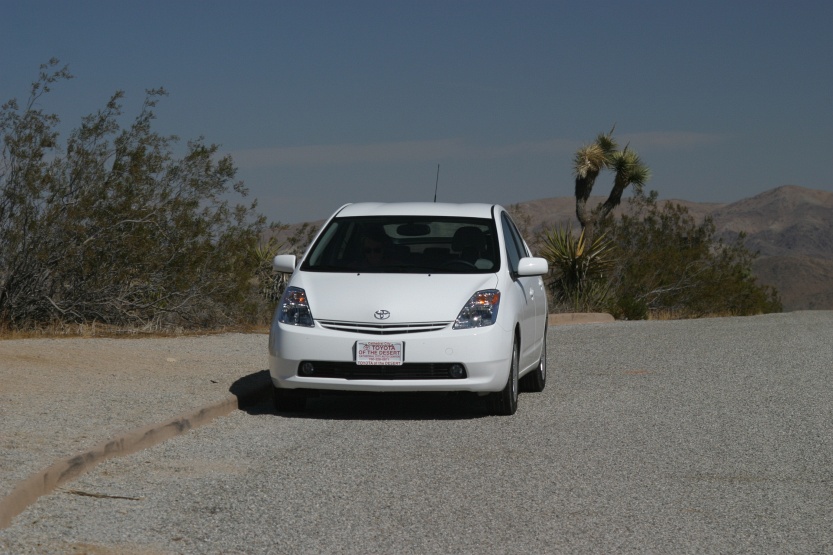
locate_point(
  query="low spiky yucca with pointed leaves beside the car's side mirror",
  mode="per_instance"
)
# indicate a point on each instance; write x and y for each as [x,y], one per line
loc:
[580,272]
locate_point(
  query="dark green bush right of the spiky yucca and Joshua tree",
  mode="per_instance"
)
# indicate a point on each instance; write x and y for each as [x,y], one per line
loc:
[669,264]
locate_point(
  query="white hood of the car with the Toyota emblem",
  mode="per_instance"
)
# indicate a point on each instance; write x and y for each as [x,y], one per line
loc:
[406,297]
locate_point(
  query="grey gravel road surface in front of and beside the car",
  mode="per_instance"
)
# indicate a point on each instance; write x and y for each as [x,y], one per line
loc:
[702,436]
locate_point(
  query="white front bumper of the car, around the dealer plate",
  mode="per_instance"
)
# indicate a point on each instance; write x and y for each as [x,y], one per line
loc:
[485,354]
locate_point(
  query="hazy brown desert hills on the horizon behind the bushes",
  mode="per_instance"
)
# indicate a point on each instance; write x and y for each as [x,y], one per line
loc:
[791,227]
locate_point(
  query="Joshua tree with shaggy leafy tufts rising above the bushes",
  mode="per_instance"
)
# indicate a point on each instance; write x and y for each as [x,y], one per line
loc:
[589,161]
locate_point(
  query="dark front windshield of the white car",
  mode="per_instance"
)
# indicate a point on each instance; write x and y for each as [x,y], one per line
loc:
[406,244]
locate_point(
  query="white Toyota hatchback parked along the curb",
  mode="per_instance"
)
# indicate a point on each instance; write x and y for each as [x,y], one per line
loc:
[412,297]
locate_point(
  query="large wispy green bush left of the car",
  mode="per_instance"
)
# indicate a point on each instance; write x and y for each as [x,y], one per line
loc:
[114,227]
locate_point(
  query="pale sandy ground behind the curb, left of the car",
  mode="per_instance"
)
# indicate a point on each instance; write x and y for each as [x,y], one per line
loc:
[59,397]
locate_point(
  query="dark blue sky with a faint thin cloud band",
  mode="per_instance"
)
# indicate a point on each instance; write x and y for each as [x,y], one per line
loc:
[322,103]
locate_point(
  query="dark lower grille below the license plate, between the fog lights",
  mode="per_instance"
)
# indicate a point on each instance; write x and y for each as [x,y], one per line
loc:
[407,371]
